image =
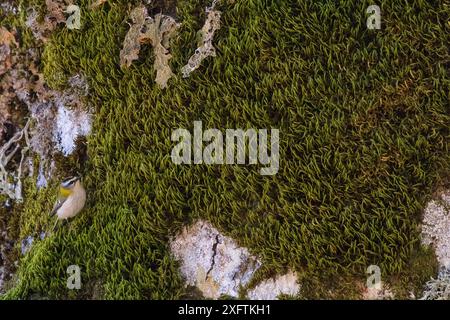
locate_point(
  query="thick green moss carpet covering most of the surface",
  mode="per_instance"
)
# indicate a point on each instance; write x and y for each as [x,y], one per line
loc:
[363,118]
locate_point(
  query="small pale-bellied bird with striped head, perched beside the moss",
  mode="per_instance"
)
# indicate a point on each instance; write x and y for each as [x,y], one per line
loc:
[71,200]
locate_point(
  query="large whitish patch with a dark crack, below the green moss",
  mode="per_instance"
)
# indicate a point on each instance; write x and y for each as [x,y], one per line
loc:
[212,262]
